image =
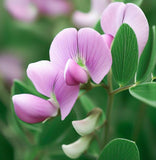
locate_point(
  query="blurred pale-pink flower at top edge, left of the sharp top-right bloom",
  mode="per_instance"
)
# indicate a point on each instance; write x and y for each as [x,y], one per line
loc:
[89,19]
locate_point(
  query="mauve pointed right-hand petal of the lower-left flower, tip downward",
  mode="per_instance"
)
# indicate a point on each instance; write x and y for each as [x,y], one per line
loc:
[65,95]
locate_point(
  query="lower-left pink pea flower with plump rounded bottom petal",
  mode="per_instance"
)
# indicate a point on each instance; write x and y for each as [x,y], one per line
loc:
[49,81]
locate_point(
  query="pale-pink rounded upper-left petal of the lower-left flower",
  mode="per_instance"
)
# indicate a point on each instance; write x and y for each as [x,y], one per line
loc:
[43,74]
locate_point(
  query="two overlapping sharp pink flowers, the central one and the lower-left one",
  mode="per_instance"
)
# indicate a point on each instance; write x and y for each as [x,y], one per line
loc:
[75,56]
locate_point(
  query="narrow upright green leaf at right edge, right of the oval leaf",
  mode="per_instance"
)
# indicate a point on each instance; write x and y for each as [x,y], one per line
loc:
[147,59]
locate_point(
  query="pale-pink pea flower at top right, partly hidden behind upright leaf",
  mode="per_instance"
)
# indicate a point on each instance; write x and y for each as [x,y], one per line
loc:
[118,13]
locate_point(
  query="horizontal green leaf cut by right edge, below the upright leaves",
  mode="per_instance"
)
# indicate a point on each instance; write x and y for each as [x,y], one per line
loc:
[145,92]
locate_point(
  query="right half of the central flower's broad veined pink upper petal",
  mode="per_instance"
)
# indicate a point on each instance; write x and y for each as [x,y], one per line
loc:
[95,52]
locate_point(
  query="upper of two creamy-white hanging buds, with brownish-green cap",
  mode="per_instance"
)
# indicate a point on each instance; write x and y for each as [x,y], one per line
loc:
[89,124]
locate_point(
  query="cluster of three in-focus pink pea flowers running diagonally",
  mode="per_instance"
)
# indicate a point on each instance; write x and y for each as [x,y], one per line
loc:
[75,58]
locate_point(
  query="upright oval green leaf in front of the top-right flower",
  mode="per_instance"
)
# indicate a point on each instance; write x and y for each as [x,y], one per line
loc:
[124,55]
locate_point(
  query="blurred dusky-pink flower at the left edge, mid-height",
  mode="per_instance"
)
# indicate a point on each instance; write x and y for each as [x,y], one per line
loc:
[10,68]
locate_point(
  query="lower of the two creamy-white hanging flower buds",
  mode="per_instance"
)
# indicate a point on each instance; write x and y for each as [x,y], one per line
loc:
[74,150]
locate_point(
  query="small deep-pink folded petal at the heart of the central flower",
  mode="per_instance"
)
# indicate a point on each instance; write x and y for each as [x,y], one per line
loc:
[74,74]
